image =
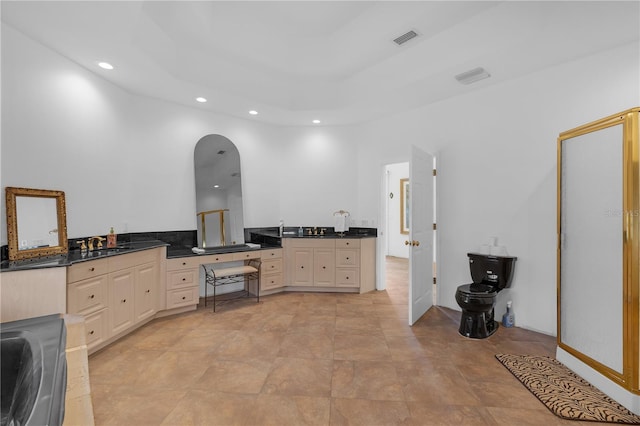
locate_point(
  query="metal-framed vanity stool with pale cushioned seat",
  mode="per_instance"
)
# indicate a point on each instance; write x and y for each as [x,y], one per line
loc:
[245,274]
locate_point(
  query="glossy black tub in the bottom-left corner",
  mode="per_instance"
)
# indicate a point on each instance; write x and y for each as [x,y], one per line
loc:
[33,369]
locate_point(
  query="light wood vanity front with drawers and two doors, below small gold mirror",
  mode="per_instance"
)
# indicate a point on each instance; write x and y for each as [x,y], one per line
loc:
[114,294]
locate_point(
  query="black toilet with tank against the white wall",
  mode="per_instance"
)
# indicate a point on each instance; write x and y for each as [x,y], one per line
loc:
[490,274]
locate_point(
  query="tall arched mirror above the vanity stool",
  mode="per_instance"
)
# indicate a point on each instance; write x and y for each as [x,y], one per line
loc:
[219,211]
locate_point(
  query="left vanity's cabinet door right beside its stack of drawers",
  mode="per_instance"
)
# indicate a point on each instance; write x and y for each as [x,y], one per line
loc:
[121,307]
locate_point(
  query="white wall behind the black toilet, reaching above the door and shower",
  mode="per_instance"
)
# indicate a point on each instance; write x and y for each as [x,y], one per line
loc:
[496,151]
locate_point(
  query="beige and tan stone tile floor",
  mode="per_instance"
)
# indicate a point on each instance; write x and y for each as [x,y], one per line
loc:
[315,359]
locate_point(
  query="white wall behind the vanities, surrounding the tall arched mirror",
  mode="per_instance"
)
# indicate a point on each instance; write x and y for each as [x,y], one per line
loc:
[127,161]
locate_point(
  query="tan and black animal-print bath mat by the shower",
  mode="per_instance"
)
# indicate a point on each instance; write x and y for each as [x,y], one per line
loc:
[565,393]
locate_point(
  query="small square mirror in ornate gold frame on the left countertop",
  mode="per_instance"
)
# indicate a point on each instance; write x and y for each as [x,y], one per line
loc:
[36,223]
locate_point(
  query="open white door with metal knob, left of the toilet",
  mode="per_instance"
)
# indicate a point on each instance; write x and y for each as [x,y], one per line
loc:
[421,232]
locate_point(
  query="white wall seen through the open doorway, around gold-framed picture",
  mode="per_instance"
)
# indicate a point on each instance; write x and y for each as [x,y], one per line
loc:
[395,240]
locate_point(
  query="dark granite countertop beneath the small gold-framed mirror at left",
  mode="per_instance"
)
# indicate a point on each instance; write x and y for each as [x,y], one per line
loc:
[75,256]
